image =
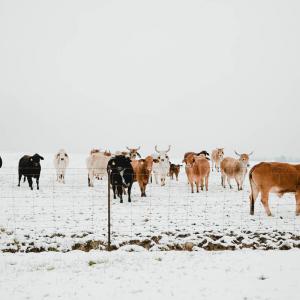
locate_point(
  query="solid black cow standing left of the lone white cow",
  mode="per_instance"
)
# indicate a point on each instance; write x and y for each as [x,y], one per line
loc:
[30,167]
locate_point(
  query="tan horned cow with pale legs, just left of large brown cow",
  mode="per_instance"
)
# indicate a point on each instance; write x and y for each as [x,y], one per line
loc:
[232,168]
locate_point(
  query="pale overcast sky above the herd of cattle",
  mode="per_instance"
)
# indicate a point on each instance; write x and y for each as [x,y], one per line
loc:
[194,74]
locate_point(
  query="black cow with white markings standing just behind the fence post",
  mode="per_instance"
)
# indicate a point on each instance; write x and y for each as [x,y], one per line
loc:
[121,175]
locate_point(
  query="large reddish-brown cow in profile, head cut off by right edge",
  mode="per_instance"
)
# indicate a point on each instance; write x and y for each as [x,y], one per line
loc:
[278,178]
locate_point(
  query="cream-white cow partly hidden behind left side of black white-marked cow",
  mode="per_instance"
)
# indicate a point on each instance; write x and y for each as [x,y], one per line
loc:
[97,165]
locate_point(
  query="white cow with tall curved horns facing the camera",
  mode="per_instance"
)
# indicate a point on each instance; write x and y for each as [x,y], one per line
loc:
[161,168]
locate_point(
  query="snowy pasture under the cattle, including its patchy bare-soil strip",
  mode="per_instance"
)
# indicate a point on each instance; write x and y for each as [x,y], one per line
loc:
[73,216]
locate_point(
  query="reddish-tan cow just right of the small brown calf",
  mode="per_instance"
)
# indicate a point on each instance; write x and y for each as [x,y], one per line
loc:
[197,170]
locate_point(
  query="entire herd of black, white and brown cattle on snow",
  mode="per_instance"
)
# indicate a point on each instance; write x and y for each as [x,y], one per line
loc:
[126,167]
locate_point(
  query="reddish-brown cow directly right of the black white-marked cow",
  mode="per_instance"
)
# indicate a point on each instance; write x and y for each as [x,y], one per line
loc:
[142,171]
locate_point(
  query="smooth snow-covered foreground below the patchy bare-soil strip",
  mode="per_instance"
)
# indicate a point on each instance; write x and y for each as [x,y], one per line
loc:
[151,275]
